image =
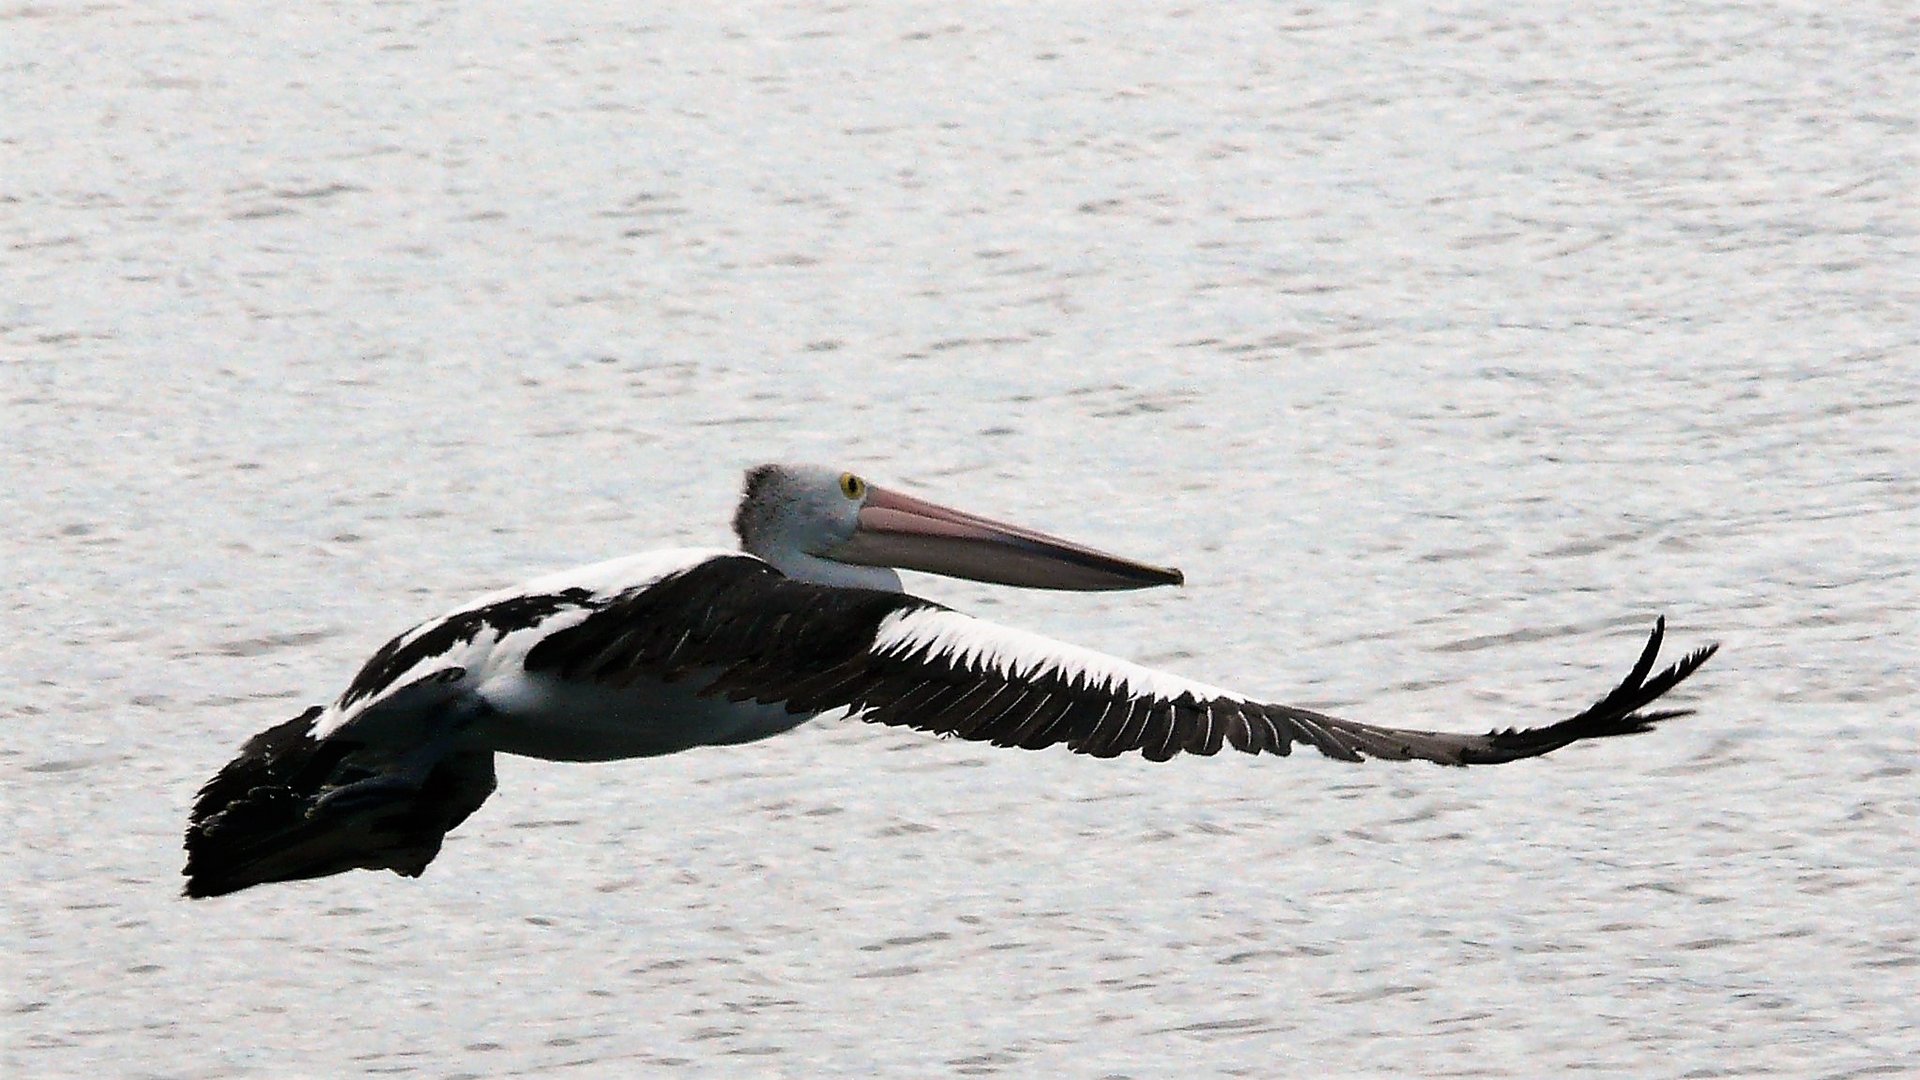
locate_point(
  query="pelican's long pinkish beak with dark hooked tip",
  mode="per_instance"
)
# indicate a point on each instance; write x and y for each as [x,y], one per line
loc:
[915,535]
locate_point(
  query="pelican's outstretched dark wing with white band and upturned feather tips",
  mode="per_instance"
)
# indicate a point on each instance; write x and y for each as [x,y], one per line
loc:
[740,631]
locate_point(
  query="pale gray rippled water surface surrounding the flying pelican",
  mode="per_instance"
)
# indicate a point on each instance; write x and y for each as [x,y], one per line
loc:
[1443,351]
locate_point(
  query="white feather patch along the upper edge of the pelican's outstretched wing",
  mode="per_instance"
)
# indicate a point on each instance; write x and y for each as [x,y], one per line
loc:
[1019,654]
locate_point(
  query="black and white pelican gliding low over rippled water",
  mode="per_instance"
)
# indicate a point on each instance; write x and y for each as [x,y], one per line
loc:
[669,650]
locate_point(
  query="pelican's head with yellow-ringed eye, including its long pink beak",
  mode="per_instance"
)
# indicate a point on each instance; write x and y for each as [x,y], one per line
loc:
[832,528]
